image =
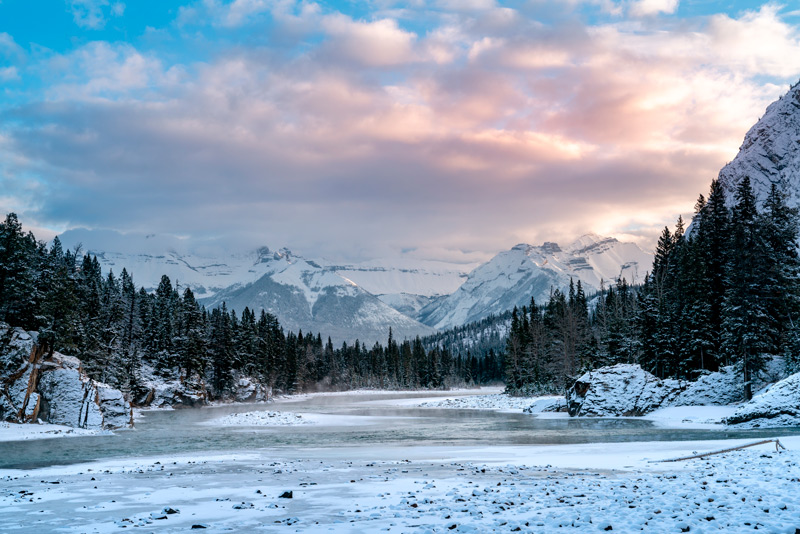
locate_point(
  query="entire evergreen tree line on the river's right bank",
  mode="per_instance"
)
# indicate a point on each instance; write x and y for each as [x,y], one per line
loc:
[728,293]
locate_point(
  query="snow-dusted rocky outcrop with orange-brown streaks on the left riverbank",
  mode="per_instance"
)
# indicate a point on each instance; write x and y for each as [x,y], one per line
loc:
[53,387]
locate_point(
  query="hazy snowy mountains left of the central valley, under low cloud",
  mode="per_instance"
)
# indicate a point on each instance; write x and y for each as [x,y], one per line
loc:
[304,294]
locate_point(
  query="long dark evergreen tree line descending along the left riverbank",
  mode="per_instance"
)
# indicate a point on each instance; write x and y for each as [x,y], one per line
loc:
[125,335]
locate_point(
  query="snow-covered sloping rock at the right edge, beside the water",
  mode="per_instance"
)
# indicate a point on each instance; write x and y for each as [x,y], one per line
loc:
[777,406]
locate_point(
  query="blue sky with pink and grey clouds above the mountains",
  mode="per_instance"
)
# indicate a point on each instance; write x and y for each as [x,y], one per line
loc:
[448,129]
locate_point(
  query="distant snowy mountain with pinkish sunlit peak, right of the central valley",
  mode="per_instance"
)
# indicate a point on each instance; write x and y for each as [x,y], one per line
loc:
[512,277]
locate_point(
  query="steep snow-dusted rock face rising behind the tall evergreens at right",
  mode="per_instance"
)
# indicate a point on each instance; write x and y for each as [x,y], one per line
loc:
[770,152]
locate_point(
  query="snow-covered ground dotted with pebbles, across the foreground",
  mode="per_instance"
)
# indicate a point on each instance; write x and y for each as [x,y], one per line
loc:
[578,488]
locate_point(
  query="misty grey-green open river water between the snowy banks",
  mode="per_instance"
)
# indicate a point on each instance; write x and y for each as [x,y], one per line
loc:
[367,421]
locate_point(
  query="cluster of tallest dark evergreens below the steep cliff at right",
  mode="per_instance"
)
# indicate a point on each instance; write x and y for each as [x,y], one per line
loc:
[727,295]
